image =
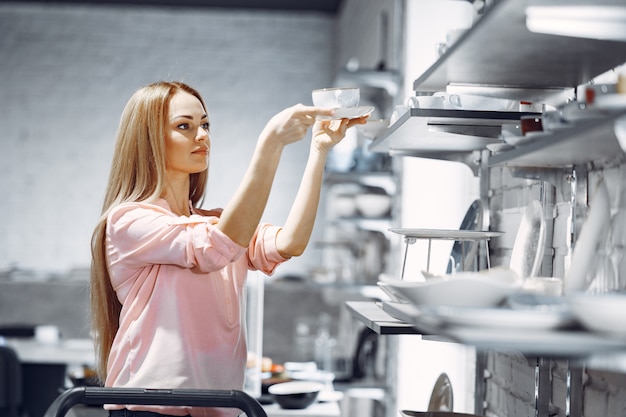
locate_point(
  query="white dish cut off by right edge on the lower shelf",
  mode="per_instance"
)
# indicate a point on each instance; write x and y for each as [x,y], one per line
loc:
[603,313]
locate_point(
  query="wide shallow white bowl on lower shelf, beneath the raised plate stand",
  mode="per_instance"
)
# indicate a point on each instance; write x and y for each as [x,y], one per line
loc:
[463,289]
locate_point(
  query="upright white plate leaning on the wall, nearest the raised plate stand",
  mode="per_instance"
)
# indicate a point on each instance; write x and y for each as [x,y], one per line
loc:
[530,241]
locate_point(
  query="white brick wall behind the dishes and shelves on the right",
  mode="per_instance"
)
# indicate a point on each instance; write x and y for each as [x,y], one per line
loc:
[510,386]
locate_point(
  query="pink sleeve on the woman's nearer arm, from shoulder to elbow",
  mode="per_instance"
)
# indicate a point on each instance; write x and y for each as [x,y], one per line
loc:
[140,234]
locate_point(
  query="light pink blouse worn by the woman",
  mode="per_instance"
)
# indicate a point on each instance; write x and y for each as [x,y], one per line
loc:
[180,281]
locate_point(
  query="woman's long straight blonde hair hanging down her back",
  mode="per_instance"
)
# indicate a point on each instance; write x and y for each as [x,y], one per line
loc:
[137,174]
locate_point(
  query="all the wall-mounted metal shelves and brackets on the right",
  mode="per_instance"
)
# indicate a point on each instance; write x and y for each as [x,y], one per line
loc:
[499,57]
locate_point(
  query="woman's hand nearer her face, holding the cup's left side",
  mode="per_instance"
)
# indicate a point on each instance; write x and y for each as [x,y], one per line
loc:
[291,124]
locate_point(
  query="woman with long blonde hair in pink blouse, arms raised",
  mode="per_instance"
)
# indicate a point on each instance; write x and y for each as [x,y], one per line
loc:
[167,277]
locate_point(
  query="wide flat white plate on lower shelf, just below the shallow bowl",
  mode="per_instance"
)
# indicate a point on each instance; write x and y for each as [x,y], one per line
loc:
[500,317]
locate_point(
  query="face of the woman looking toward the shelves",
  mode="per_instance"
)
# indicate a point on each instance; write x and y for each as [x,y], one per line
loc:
[187,140]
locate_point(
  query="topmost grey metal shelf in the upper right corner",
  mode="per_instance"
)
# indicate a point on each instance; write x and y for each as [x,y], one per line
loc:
[500,57]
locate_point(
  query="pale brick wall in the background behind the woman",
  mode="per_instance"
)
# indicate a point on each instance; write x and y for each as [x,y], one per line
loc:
[68,70]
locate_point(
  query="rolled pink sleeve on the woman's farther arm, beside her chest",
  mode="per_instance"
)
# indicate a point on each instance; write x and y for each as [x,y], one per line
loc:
[262,252]
